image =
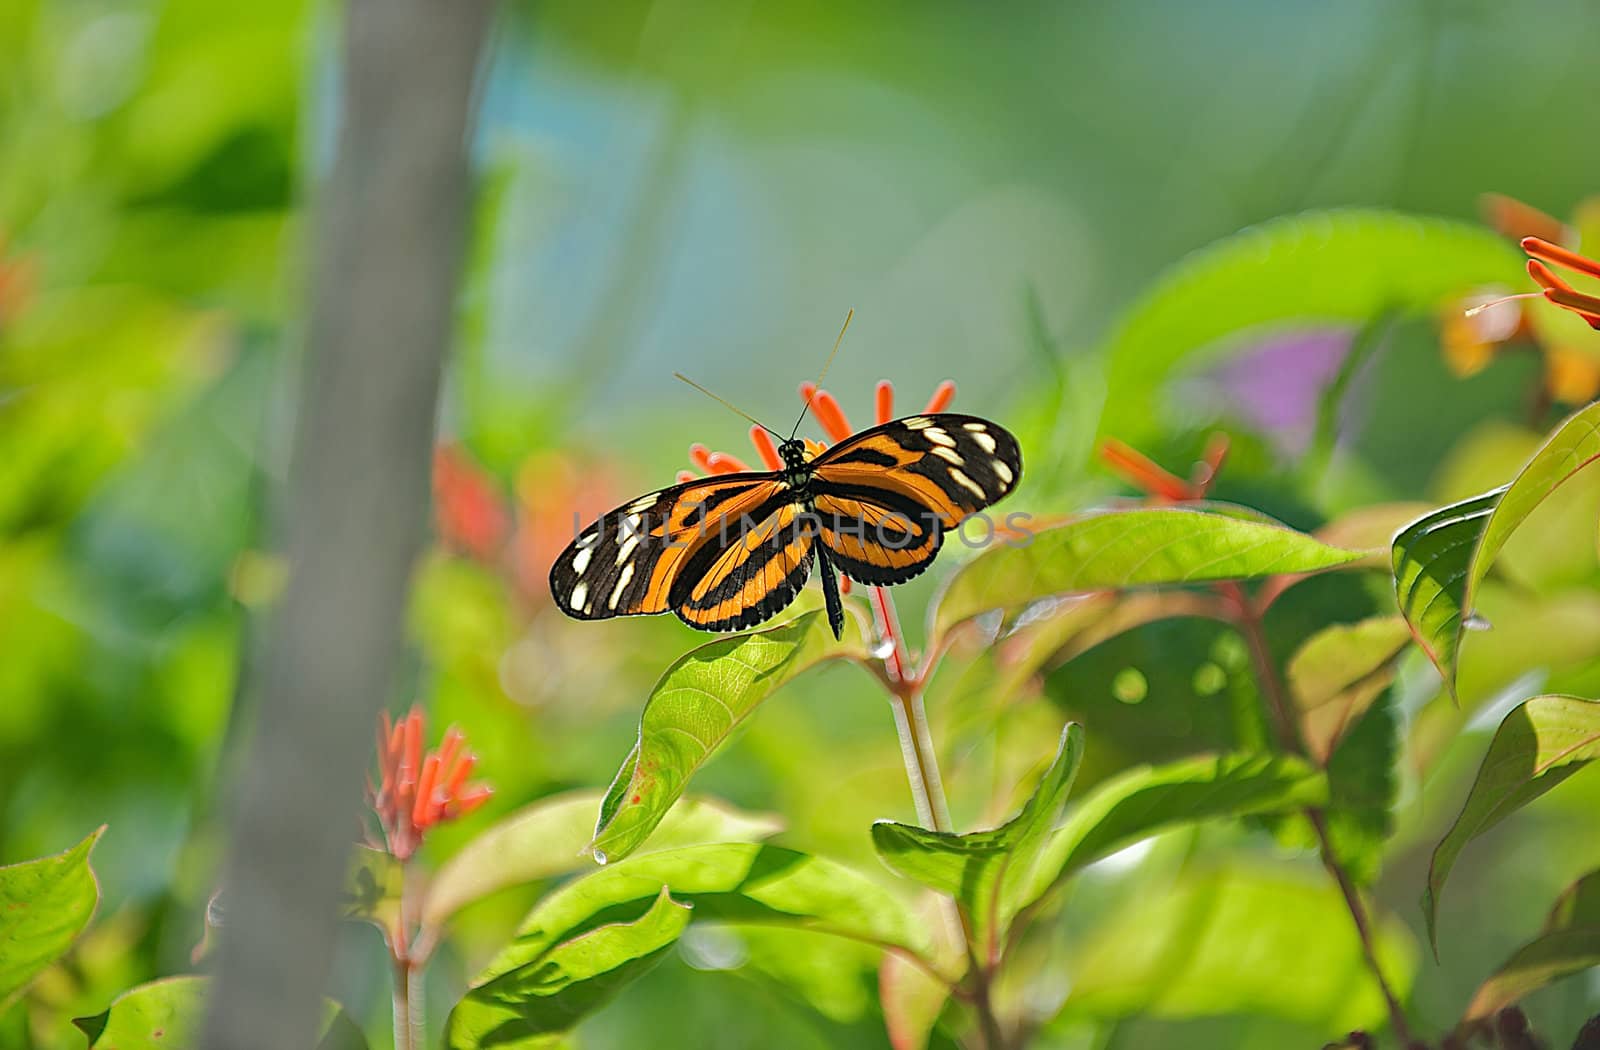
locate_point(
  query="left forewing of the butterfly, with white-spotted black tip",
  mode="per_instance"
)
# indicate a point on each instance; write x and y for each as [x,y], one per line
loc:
[633,559]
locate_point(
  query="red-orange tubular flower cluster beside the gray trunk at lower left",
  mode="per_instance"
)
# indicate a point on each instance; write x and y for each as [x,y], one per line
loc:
[417,792]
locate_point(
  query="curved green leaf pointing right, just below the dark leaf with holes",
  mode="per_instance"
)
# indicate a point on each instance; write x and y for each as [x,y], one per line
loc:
[1142,803]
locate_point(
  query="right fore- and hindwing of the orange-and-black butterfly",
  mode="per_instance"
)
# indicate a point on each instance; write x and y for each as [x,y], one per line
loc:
[887,497]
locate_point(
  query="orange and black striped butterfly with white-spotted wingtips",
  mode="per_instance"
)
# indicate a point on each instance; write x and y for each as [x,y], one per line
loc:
[734,550]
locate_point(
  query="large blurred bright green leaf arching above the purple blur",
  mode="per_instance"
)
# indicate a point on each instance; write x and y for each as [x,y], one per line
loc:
[1278,276]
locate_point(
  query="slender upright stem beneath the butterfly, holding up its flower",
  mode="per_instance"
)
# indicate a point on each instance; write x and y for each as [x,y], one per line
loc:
[927,790]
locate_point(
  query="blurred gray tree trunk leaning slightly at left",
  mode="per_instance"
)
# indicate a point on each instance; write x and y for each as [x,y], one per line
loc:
[388,249]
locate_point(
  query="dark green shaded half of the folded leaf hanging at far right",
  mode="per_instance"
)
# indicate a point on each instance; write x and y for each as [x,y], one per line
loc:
[1431,561]
